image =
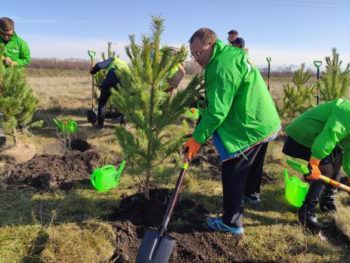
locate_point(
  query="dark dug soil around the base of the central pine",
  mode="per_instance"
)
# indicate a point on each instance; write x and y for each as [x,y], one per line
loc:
[194,242]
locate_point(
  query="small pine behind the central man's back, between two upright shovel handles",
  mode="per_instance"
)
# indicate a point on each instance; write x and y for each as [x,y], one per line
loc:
[297,97]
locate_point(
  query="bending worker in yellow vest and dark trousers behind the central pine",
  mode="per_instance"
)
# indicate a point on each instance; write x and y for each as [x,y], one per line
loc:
[112,66]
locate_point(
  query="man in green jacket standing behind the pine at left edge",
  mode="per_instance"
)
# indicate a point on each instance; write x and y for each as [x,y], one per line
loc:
[16,51]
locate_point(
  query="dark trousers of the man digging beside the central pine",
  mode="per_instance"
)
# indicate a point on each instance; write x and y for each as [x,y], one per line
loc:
[239,176]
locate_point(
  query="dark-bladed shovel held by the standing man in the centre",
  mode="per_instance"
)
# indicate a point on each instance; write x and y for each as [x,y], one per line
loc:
[156,246]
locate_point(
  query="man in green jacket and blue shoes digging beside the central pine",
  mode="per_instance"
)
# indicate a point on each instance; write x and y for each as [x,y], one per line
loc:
[241,117]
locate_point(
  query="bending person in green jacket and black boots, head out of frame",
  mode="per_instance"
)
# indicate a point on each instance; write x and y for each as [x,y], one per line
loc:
[320,136]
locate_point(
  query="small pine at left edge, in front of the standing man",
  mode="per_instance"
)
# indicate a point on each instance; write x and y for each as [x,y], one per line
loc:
[17,101]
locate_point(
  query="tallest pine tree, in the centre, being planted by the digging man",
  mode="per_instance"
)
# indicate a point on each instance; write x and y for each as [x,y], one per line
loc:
[148,108]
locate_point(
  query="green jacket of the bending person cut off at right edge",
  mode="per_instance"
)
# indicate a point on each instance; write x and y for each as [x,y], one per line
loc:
[324,127]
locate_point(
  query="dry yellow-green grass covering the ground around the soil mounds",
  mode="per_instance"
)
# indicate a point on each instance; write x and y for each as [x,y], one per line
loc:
[68,226]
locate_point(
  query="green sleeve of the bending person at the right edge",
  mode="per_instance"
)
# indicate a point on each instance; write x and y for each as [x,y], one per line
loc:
[333,132]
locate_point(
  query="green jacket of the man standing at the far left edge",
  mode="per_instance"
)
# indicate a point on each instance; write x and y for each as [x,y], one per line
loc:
[17,50]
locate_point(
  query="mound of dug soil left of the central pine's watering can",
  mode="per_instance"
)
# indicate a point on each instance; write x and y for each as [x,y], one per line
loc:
[54,171]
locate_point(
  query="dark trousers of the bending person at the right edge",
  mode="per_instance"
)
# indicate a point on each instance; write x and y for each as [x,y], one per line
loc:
[317,188]
